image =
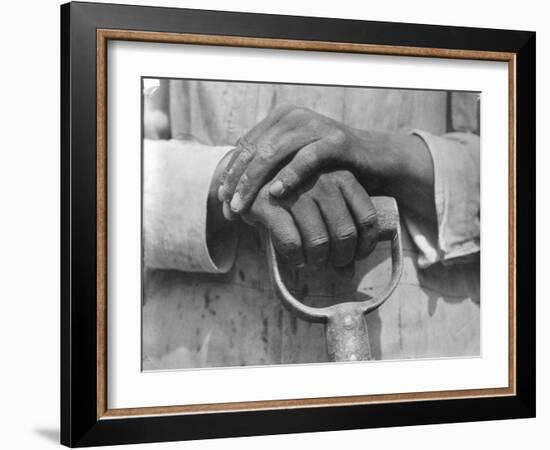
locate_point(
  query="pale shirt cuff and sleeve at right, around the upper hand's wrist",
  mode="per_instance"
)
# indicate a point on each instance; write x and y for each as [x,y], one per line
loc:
[455,158]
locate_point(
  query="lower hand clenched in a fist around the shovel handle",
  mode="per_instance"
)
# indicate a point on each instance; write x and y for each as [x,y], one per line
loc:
[329,218]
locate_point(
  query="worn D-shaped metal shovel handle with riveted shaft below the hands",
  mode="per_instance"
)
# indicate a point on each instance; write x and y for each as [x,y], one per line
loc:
[346,329]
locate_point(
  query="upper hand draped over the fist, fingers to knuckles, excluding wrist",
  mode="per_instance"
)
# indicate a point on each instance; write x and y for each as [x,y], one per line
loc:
[312,140]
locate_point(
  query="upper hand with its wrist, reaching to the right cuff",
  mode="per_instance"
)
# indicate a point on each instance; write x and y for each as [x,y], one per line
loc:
[293,144]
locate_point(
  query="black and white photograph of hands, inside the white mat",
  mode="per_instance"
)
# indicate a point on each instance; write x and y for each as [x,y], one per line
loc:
[301,223]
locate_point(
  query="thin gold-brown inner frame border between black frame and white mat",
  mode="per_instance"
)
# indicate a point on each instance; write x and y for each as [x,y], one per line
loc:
[103,36]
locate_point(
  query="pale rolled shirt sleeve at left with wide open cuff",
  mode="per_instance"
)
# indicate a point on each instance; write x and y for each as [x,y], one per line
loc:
[176,182]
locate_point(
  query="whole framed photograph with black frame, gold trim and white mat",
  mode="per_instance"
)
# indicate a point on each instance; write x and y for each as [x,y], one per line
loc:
[277,224]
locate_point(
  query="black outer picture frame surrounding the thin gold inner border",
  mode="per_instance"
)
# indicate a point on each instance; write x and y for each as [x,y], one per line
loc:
[80,425]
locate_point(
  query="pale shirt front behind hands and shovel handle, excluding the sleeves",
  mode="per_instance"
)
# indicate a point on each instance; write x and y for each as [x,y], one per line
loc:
[202,319]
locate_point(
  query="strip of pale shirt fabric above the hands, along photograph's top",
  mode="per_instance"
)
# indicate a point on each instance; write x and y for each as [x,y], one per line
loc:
[219,112]
